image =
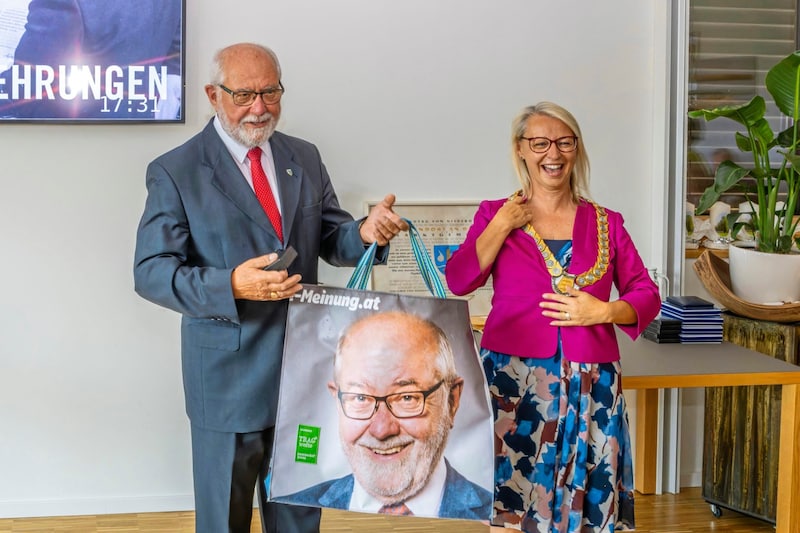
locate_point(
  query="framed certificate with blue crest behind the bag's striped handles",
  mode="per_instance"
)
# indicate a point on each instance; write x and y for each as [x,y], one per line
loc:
[443,227]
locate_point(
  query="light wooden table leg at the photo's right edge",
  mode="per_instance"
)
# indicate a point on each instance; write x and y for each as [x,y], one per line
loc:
[788,505]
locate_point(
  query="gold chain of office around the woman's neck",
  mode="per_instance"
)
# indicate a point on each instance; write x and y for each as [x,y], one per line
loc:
[562,280]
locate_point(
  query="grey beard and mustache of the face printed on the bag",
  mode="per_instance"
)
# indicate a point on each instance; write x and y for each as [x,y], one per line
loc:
[397,482]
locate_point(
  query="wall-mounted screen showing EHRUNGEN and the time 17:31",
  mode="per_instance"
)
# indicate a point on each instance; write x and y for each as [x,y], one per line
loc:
[91,61]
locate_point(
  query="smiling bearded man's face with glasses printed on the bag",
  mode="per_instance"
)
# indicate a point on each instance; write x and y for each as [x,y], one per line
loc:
[395,406]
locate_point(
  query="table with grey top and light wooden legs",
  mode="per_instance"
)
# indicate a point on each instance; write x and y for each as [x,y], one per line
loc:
[648,366]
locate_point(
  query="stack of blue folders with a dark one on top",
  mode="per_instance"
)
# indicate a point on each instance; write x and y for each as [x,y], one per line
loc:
[700,320]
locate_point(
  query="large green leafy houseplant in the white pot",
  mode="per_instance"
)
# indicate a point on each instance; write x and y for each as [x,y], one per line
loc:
[772,226]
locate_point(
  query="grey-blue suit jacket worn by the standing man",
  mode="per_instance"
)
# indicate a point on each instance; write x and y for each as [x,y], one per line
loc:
[201,220]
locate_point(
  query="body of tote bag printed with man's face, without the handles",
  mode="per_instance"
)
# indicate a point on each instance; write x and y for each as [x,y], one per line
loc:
[383,407]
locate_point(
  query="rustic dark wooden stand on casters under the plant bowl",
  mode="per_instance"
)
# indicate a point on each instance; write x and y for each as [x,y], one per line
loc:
[742,425]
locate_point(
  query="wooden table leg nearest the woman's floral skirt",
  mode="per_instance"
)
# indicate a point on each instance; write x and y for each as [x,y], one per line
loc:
[645,463]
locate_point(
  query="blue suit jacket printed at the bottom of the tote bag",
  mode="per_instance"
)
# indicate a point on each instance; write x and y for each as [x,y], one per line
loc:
[461,499]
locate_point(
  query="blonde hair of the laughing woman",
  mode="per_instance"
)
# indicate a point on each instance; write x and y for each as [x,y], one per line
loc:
[579,180]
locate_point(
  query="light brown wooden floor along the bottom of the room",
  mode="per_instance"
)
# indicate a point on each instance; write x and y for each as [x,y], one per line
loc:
[681,513]
